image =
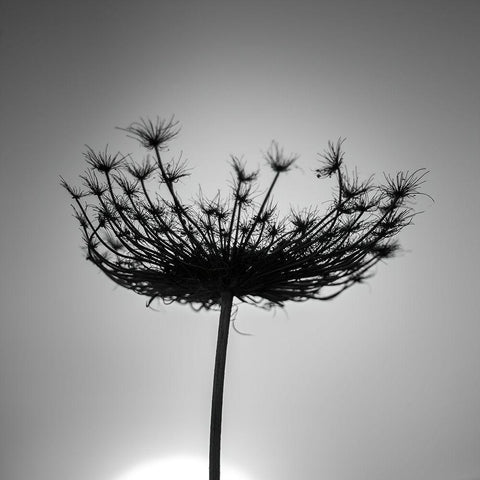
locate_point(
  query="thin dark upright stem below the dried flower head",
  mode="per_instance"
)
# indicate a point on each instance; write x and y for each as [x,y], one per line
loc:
[218,381]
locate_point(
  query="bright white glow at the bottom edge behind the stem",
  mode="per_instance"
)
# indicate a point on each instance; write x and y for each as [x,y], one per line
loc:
[178,468]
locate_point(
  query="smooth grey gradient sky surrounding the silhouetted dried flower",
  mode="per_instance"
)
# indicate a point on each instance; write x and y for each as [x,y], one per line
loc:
[382,383]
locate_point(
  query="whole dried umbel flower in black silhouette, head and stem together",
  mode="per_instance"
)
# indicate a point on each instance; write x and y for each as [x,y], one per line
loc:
[214,251]
